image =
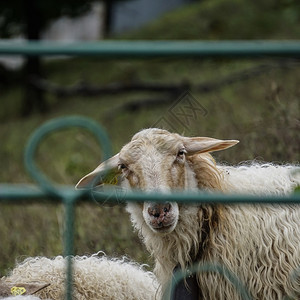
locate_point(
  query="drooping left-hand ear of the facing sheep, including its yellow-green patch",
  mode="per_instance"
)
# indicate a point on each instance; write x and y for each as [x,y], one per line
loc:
[109,170]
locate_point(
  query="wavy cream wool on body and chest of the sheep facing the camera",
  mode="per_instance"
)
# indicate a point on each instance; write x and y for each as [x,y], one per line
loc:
[258,243]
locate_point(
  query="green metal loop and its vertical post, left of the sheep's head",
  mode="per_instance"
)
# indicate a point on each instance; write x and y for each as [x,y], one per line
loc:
[69,196]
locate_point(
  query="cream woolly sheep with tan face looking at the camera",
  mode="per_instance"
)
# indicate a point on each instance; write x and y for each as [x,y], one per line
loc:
[258,243]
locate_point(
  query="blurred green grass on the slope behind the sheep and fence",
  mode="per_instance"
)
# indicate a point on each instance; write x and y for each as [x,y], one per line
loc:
[262,112]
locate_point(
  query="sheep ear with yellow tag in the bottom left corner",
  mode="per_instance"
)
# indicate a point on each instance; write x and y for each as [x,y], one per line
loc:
[14,289]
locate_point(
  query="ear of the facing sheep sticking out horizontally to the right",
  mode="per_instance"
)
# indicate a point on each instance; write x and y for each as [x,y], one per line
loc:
[205,144]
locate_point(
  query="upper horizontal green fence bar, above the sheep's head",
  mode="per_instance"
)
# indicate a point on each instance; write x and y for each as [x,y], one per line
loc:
[135,49]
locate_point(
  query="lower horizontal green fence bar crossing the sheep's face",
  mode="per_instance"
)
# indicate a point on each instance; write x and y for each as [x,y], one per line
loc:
[31,193]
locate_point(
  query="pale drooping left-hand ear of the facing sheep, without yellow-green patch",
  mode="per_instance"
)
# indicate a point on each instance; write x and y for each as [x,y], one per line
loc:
[106,166]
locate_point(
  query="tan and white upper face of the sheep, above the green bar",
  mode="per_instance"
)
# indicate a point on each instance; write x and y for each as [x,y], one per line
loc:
[153,164]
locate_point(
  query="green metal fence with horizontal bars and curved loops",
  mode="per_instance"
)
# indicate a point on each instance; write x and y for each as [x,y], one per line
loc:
[12,193]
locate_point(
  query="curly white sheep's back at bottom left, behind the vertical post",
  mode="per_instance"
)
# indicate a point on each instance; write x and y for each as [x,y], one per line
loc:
[94,277]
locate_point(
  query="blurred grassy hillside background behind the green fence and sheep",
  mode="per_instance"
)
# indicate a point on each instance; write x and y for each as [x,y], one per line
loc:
[254,101]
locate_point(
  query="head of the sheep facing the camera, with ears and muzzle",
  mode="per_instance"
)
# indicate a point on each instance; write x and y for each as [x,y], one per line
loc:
[157,161]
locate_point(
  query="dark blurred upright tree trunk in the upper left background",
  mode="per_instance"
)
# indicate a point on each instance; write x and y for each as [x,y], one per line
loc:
[33,97]
